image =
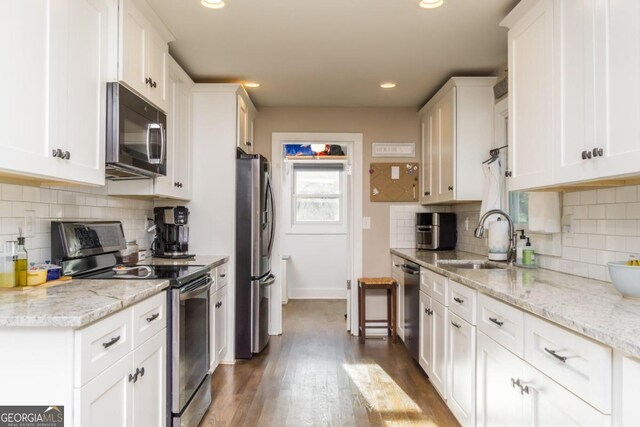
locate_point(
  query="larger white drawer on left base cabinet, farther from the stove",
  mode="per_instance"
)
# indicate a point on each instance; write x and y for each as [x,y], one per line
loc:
[101,344]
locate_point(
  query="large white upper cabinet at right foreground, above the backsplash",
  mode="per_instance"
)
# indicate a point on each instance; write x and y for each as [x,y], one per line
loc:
[574,84]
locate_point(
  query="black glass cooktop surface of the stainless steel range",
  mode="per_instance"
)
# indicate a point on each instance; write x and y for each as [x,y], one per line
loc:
[176,273]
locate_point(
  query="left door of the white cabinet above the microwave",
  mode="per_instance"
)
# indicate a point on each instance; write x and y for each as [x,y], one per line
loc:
[133,48]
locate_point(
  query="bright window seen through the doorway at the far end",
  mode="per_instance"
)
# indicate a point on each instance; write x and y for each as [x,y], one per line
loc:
[317,194]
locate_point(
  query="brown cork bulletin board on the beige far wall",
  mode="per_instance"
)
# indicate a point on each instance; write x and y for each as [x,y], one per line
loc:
[394,182]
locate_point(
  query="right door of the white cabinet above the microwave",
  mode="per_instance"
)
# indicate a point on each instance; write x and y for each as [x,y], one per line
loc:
[156,68]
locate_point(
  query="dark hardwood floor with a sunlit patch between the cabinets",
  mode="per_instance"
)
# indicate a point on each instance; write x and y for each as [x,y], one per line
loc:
[316,374]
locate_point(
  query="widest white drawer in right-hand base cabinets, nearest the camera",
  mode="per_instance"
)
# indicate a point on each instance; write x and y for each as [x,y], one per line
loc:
[575,362]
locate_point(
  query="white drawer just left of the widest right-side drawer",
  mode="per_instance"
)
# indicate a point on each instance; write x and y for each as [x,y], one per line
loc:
[503,323]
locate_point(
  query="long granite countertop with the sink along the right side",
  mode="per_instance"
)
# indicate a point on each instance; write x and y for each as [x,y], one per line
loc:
[590,307]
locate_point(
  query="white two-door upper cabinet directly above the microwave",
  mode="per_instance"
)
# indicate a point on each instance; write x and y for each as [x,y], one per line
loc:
[143,57]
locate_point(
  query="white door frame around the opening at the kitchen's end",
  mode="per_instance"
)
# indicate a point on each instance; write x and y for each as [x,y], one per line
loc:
[355,140]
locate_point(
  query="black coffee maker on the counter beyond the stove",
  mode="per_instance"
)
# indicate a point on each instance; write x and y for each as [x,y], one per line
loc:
[172,232]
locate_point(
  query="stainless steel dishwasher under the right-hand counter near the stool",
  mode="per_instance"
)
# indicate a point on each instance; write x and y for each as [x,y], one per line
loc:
[412,308]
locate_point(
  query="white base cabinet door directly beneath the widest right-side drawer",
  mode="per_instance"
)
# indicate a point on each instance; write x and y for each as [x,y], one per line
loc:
[547,403]
